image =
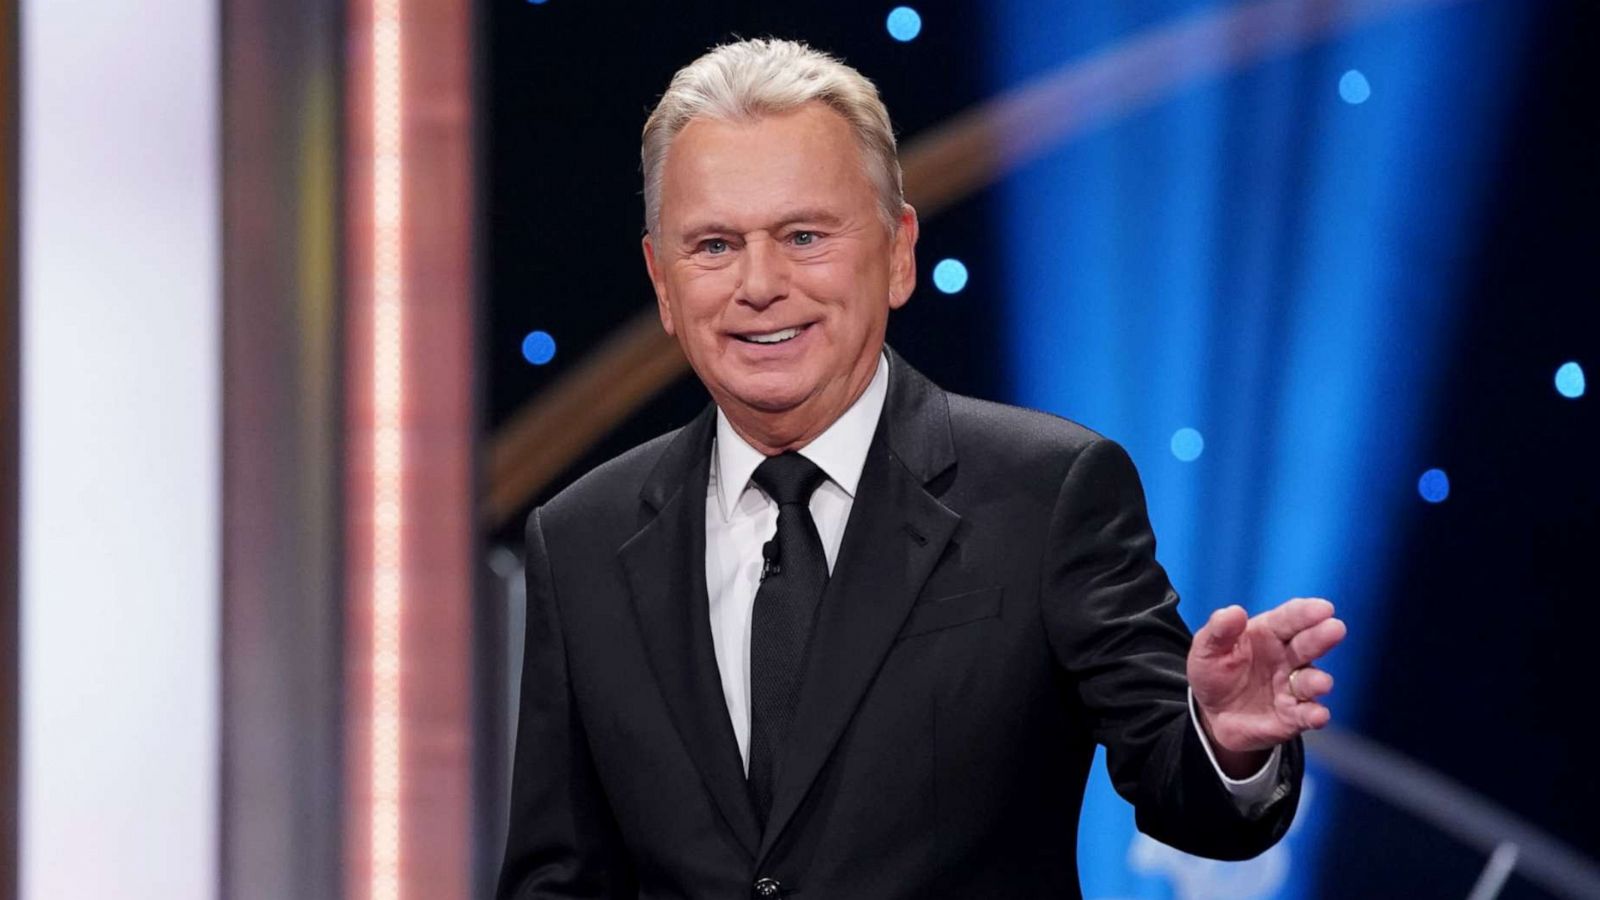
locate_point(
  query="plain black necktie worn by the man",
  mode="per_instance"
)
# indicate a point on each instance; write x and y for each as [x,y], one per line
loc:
[793,581]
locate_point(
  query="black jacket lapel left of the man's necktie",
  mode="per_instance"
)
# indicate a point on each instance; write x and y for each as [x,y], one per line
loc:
[666,573]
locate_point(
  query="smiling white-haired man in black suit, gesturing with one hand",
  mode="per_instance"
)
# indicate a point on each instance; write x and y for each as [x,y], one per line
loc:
[846,635]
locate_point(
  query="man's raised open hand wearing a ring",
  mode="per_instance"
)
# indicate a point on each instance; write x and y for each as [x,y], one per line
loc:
[1254,677]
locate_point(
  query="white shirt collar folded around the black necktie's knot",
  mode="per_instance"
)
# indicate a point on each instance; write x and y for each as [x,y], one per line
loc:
[841,451]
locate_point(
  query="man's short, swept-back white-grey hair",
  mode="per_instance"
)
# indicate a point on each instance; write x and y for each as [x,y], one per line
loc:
[758,78]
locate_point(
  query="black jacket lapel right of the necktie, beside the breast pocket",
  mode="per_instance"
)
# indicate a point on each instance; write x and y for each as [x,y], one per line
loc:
[895,536]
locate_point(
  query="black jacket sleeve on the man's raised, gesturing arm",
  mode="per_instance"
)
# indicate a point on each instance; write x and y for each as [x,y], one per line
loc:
[1114,627]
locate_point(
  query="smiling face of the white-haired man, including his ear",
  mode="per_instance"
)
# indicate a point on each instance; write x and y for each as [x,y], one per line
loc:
[774,267]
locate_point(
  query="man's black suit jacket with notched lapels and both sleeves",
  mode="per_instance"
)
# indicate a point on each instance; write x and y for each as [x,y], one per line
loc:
[996,609]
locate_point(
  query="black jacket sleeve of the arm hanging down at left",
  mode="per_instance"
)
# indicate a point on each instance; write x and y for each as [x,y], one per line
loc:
[562,840]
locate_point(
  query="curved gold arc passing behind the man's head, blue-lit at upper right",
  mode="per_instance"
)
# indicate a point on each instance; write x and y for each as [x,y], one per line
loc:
[943,166]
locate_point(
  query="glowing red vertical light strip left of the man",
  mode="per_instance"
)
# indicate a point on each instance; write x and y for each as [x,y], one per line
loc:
[410,452]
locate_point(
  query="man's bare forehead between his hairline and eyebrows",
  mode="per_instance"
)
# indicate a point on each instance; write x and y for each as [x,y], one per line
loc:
[748,169]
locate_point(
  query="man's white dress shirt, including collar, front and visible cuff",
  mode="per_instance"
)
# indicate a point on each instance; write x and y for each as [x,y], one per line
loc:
[740,518]
